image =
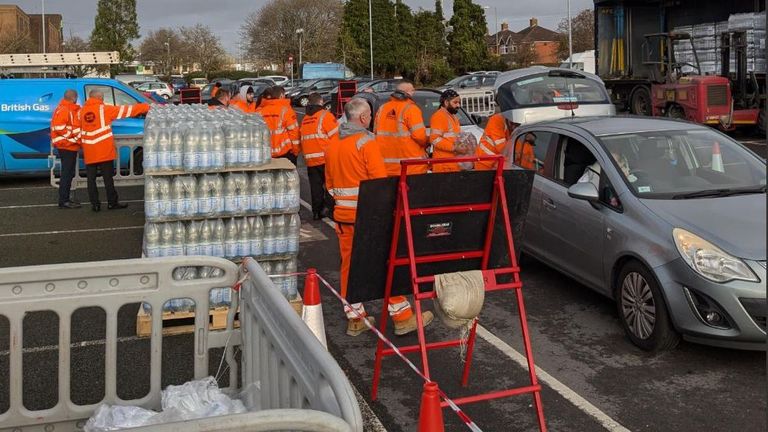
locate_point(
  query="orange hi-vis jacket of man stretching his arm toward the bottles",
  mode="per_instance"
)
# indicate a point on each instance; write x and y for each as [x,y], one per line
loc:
[96,128]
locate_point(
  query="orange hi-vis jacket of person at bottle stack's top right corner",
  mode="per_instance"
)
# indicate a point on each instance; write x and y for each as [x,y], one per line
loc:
[282,122]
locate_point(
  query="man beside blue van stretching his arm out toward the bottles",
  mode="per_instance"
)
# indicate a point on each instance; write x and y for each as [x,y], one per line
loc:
[99,145]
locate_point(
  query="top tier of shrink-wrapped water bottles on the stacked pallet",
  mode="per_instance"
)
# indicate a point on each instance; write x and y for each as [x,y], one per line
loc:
[195,139]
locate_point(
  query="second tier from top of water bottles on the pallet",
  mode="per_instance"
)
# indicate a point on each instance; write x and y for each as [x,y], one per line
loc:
[203,196]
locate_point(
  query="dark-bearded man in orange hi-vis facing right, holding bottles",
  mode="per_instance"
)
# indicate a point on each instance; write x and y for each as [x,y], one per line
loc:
[444,128]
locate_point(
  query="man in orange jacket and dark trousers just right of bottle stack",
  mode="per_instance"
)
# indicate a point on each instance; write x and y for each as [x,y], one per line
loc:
[318,128]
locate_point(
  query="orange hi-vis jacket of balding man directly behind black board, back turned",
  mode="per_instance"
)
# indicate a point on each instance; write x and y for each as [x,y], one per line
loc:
[401,134]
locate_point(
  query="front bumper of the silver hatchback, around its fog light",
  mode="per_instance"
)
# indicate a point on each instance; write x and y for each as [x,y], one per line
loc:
[744,304]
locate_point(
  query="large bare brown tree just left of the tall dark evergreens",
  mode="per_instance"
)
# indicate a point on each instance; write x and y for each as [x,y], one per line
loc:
[270,32]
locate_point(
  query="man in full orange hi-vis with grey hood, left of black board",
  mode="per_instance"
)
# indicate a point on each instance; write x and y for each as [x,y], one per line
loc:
[352,157]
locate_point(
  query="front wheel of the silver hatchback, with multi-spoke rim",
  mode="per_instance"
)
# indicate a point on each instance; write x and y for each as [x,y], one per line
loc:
[642,310]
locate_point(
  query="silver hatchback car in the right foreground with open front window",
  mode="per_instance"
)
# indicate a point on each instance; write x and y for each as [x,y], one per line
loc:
[666,217]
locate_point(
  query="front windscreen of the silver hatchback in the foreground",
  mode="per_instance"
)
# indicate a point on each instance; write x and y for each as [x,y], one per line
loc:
[685,164]
